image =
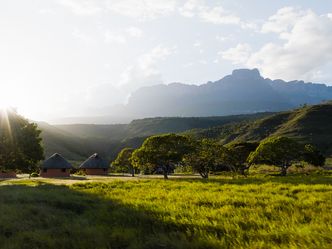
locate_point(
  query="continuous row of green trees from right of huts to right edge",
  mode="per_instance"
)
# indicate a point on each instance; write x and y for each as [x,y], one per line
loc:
[165,153]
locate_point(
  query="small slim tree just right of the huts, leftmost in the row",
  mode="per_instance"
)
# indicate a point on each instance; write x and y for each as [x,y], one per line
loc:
[123,163]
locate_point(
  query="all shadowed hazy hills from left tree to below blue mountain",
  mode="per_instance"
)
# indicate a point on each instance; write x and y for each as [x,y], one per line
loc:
[76,142]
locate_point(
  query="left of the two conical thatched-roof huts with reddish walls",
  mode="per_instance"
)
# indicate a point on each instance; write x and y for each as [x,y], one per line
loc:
[55,166]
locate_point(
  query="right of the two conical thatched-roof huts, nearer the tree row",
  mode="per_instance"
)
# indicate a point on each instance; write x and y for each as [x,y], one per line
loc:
[95,165]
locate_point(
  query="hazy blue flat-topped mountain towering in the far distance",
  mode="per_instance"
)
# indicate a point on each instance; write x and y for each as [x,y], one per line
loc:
[244,91]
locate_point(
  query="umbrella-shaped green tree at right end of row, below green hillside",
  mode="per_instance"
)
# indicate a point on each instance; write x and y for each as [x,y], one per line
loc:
[278,151]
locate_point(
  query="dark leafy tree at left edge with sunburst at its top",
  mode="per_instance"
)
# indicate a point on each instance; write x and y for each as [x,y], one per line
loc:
[20,143]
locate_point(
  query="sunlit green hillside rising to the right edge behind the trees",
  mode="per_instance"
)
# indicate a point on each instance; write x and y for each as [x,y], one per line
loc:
[311,124]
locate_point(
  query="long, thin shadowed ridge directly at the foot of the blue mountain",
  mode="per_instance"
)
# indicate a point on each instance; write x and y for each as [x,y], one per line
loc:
[150,126]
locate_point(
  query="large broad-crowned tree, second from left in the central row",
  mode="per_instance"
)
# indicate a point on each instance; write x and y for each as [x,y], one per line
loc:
[161,152]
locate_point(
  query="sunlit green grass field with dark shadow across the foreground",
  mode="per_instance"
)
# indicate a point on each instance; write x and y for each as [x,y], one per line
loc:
[259,212]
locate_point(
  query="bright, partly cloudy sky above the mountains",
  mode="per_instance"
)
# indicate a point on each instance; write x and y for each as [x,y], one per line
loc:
[62,58]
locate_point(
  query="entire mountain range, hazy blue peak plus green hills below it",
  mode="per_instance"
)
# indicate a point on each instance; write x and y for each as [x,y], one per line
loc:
[239,107]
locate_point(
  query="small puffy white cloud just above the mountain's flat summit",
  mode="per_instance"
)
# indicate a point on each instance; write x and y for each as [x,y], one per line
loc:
[238,55]
